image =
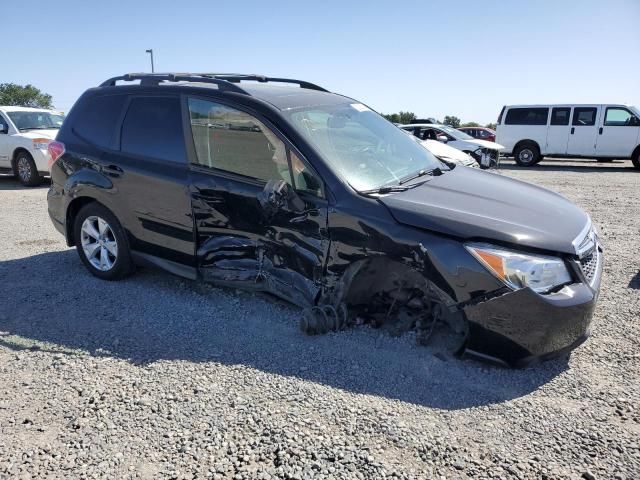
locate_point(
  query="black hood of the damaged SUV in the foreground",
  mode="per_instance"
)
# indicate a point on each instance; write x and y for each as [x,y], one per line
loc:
[472,204]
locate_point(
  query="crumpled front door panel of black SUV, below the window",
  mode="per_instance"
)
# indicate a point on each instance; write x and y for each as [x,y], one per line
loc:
[240,244]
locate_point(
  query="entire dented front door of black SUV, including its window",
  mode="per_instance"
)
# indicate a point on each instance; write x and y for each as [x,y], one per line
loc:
[239,242]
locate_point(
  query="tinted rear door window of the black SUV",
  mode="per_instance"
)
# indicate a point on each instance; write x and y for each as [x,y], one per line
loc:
[152,128]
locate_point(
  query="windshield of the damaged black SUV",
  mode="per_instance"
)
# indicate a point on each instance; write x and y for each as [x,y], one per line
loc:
[363,147]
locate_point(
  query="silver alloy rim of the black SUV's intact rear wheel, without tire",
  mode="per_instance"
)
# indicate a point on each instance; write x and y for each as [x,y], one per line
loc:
[99,243]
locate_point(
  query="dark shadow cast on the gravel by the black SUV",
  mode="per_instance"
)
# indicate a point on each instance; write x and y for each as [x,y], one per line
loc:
[56,305]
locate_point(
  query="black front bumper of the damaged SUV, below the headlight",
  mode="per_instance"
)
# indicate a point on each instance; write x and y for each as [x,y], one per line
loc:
[522,327]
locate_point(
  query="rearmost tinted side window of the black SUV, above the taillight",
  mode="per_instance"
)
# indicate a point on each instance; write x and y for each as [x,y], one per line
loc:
[97,120]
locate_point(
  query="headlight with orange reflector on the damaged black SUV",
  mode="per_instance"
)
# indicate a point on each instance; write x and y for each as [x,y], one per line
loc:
[517,270]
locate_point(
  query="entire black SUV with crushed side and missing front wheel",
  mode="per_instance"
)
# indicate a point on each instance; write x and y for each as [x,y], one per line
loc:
[281,186]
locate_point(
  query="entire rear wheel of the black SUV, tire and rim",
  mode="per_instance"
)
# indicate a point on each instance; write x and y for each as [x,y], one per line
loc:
[102,243]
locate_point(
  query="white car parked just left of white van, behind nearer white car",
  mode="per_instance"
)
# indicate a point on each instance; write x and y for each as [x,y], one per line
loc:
[487,154]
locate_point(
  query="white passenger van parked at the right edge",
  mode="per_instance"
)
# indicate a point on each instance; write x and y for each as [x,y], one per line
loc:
[603,132]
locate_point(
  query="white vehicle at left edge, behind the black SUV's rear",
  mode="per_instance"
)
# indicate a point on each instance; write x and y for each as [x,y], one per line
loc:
[25,134]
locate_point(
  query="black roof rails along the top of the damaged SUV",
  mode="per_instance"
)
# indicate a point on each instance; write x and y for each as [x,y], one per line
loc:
[225,81]
